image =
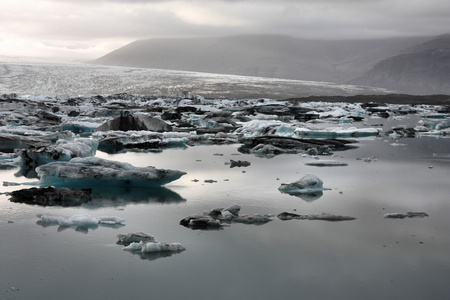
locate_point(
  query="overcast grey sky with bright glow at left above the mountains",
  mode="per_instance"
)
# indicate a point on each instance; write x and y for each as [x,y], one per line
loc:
[87,29]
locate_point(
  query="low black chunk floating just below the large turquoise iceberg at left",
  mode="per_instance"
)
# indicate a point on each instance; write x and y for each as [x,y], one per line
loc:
[51,196]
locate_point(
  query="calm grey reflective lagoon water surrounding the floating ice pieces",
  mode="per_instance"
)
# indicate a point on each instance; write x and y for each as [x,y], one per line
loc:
[368,258]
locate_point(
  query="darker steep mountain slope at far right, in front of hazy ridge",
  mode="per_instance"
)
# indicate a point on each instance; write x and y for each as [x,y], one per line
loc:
[422,69]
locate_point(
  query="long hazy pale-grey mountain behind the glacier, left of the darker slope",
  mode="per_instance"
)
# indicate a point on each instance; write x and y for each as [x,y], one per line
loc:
[275,56]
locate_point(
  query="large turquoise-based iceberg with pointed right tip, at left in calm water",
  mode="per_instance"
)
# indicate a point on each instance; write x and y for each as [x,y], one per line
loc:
[92,171]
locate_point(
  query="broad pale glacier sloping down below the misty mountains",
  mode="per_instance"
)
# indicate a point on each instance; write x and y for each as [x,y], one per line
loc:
[83,79]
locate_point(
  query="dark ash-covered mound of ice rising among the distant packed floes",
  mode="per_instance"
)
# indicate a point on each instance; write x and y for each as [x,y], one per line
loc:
[135,122]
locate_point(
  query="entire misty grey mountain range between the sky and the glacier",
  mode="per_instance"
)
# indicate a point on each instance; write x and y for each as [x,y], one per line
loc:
[413,65]
